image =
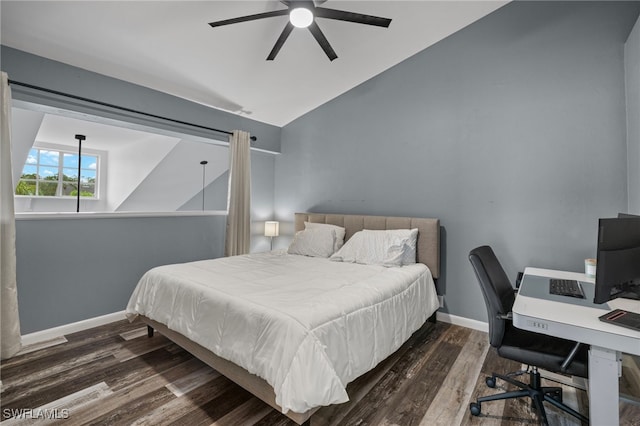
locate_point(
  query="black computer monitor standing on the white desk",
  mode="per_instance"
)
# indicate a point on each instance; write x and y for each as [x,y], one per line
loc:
[618,263]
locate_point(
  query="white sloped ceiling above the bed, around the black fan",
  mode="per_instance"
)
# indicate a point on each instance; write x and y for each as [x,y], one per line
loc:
[168,46]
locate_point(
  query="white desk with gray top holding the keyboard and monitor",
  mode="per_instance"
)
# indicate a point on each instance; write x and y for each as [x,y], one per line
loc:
[577,319]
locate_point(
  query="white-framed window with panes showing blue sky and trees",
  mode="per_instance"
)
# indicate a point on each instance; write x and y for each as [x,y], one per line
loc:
[54,173]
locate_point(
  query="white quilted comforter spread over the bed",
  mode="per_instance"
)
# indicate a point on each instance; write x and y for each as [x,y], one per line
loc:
[308,326]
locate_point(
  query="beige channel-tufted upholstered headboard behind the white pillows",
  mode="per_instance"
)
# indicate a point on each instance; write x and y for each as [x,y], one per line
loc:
[428,248]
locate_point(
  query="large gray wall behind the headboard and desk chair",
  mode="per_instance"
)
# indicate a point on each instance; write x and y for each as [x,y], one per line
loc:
[511,131]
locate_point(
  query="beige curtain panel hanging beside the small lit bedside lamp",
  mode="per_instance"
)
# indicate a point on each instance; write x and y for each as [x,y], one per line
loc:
[238,234]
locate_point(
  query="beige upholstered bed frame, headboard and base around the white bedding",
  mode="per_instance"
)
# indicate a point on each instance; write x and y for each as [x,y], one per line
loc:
[428,252]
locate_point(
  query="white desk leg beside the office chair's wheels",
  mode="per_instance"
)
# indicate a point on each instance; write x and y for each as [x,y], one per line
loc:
[604,370]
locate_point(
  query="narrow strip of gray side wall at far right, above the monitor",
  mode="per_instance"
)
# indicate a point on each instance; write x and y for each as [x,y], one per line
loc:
[632,75]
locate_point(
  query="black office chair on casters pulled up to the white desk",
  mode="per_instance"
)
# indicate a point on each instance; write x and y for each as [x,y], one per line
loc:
[533,349]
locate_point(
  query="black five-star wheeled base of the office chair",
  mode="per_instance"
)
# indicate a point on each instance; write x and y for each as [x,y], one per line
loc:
[533,390]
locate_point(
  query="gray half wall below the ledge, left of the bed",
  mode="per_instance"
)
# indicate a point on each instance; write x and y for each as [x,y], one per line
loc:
[69,270]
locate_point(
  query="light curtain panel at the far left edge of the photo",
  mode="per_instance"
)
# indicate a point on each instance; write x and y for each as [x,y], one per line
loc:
[10,340]
